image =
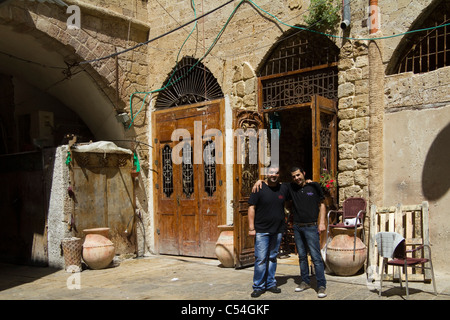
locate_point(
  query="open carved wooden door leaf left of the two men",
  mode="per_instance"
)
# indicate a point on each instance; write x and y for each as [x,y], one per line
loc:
[245,174]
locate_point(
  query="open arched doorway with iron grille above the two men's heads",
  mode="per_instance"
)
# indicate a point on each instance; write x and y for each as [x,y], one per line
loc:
[300,66]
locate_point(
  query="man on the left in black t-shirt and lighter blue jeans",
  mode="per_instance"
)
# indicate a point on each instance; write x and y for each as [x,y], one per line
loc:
[267,224]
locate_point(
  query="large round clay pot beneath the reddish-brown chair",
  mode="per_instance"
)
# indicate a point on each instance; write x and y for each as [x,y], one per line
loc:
[340,258]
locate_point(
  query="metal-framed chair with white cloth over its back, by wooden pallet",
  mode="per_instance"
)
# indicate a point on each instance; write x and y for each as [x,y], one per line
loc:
[391,245]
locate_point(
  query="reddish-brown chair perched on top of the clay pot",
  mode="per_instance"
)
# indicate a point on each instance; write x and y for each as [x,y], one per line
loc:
[353,211]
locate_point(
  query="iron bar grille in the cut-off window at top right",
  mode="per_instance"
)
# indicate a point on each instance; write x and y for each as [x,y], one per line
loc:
[430,49]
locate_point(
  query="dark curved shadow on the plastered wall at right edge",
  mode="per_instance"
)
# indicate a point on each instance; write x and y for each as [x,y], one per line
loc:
[436,171]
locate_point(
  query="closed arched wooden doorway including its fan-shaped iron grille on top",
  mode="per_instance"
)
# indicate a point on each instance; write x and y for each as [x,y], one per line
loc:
[190,179]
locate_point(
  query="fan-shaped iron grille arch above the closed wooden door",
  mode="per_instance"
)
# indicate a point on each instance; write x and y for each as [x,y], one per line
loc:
[189,82]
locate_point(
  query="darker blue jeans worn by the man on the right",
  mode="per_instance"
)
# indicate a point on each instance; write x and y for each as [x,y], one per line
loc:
[308,239]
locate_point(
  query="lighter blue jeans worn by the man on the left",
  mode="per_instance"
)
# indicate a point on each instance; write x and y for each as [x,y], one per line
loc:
[266,251]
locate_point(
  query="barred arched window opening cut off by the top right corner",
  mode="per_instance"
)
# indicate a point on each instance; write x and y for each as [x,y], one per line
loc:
[426,50]
